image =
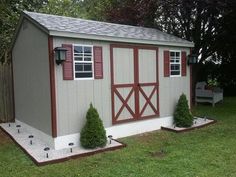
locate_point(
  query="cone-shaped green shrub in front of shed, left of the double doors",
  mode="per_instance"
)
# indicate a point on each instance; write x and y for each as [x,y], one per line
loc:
[93,133]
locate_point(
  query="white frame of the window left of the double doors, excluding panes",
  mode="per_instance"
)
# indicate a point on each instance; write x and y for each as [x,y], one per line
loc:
[92,62]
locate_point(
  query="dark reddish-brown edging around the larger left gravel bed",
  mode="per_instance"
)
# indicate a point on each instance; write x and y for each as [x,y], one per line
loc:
[65,158]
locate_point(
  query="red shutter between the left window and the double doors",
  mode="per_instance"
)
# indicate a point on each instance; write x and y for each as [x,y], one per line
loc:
[98,63]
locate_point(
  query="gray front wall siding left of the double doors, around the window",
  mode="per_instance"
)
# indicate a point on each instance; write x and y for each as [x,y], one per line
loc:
[74,97]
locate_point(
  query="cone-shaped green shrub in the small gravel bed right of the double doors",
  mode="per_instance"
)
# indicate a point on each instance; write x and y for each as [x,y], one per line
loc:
[182,114]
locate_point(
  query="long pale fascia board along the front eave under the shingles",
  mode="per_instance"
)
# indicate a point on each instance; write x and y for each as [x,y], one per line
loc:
[118,39]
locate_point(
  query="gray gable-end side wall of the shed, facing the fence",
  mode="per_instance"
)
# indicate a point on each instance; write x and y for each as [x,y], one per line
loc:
[31,78]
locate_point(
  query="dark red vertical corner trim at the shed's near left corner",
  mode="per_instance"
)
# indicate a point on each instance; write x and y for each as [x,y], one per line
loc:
[52,86]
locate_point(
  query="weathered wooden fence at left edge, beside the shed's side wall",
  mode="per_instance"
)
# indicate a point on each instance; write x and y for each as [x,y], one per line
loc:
[6,92]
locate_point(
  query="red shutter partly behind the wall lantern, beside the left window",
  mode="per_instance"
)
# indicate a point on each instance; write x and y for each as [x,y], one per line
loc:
[68,63]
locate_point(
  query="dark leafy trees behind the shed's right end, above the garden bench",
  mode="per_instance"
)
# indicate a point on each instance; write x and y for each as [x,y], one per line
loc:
[209,24]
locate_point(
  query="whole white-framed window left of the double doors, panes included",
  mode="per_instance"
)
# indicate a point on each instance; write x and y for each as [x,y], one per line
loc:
[83,61]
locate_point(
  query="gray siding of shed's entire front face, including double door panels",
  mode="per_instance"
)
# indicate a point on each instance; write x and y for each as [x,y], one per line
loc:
[74,97]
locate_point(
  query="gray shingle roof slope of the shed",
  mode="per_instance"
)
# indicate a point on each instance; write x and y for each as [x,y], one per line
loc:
[81,26]
